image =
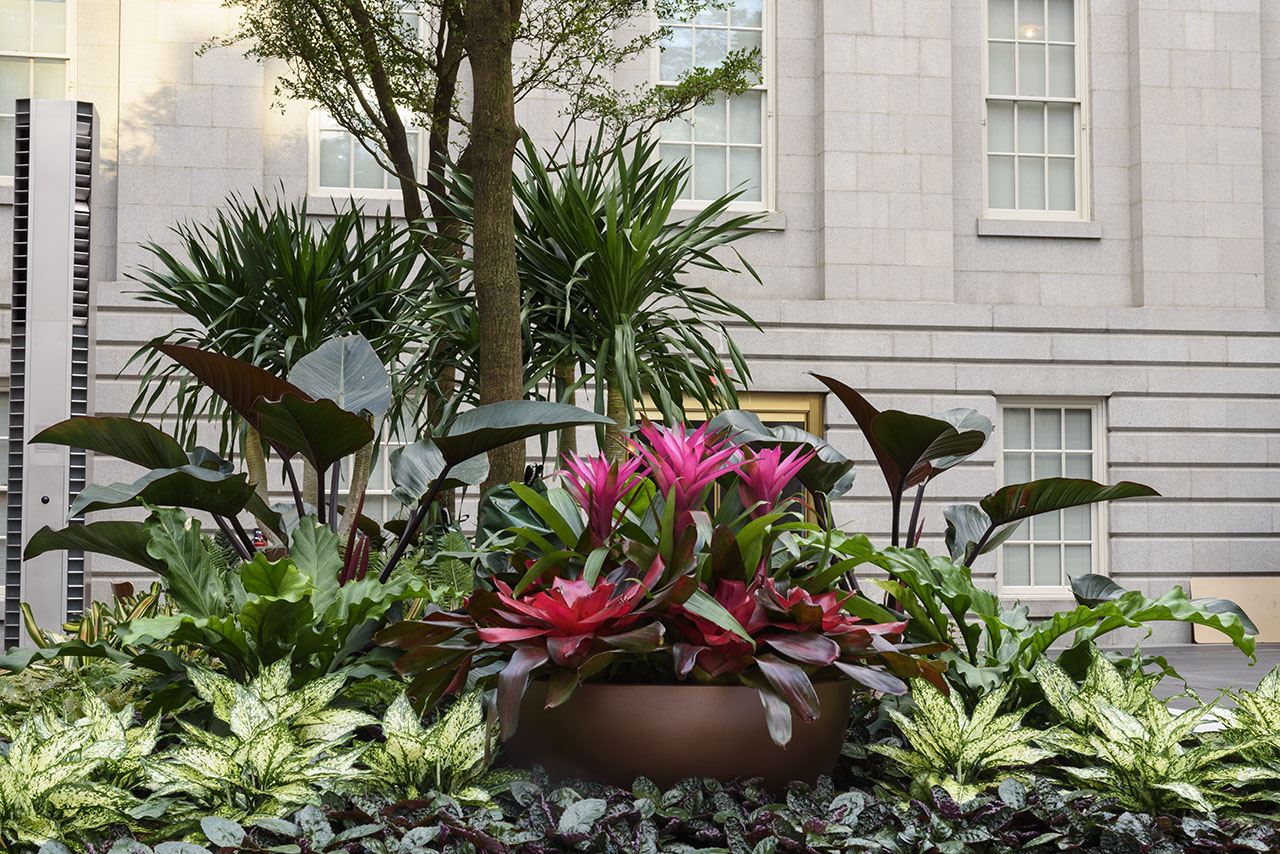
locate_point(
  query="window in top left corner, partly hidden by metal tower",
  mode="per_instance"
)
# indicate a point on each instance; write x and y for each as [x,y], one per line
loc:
[34,61]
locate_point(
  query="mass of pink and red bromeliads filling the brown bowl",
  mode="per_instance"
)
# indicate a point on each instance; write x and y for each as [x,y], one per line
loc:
[685,563]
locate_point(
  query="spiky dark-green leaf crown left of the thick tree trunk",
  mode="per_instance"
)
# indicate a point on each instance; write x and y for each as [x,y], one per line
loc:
[266,285]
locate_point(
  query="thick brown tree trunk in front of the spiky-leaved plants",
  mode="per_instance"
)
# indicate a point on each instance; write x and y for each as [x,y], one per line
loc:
[491,31]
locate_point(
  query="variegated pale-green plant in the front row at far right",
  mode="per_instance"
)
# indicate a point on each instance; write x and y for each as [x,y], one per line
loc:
[1131,747]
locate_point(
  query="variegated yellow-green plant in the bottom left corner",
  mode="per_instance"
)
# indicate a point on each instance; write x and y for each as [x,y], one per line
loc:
[57,778]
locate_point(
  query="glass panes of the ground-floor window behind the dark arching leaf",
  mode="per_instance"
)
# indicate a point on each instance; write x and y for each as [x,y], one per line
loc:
[1052,440]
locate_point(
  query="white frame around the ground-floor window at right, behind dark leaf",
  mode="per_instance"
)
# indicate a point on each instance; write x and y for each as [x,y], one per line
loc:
[1100,513]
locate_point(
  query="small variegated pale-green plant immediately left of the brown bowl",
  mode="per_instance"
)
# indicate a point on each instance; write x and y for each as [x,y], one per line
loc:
[449,757]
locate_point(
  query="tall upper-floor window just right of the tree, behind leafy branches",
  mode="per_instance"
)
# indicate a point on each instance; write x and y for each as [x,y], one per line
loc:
[725,143]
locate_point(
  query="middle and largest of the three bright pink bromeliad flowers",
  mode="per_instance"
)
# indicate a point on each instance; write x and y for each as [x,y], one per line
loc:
[685,464]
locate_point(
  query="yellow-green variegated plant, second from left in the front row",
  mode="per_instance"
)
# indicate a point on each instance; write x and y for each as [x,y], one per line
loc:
[284,751]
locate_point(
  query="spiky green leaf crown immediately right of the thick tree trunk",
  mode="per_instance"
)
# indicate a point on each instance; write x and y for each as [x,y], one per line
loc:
[604,257]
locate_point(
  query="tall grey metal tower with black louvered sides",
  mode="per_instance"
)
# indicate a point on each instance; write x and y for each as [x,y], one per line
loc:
[51,368]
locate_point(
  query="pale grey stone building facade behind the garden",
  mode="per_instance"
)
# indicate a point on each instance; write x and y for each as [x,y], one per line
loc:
[903,252]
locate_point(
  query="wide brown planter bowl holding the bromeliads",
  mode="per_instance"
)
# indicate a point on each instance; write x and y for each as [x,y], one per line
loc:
[618,733]
